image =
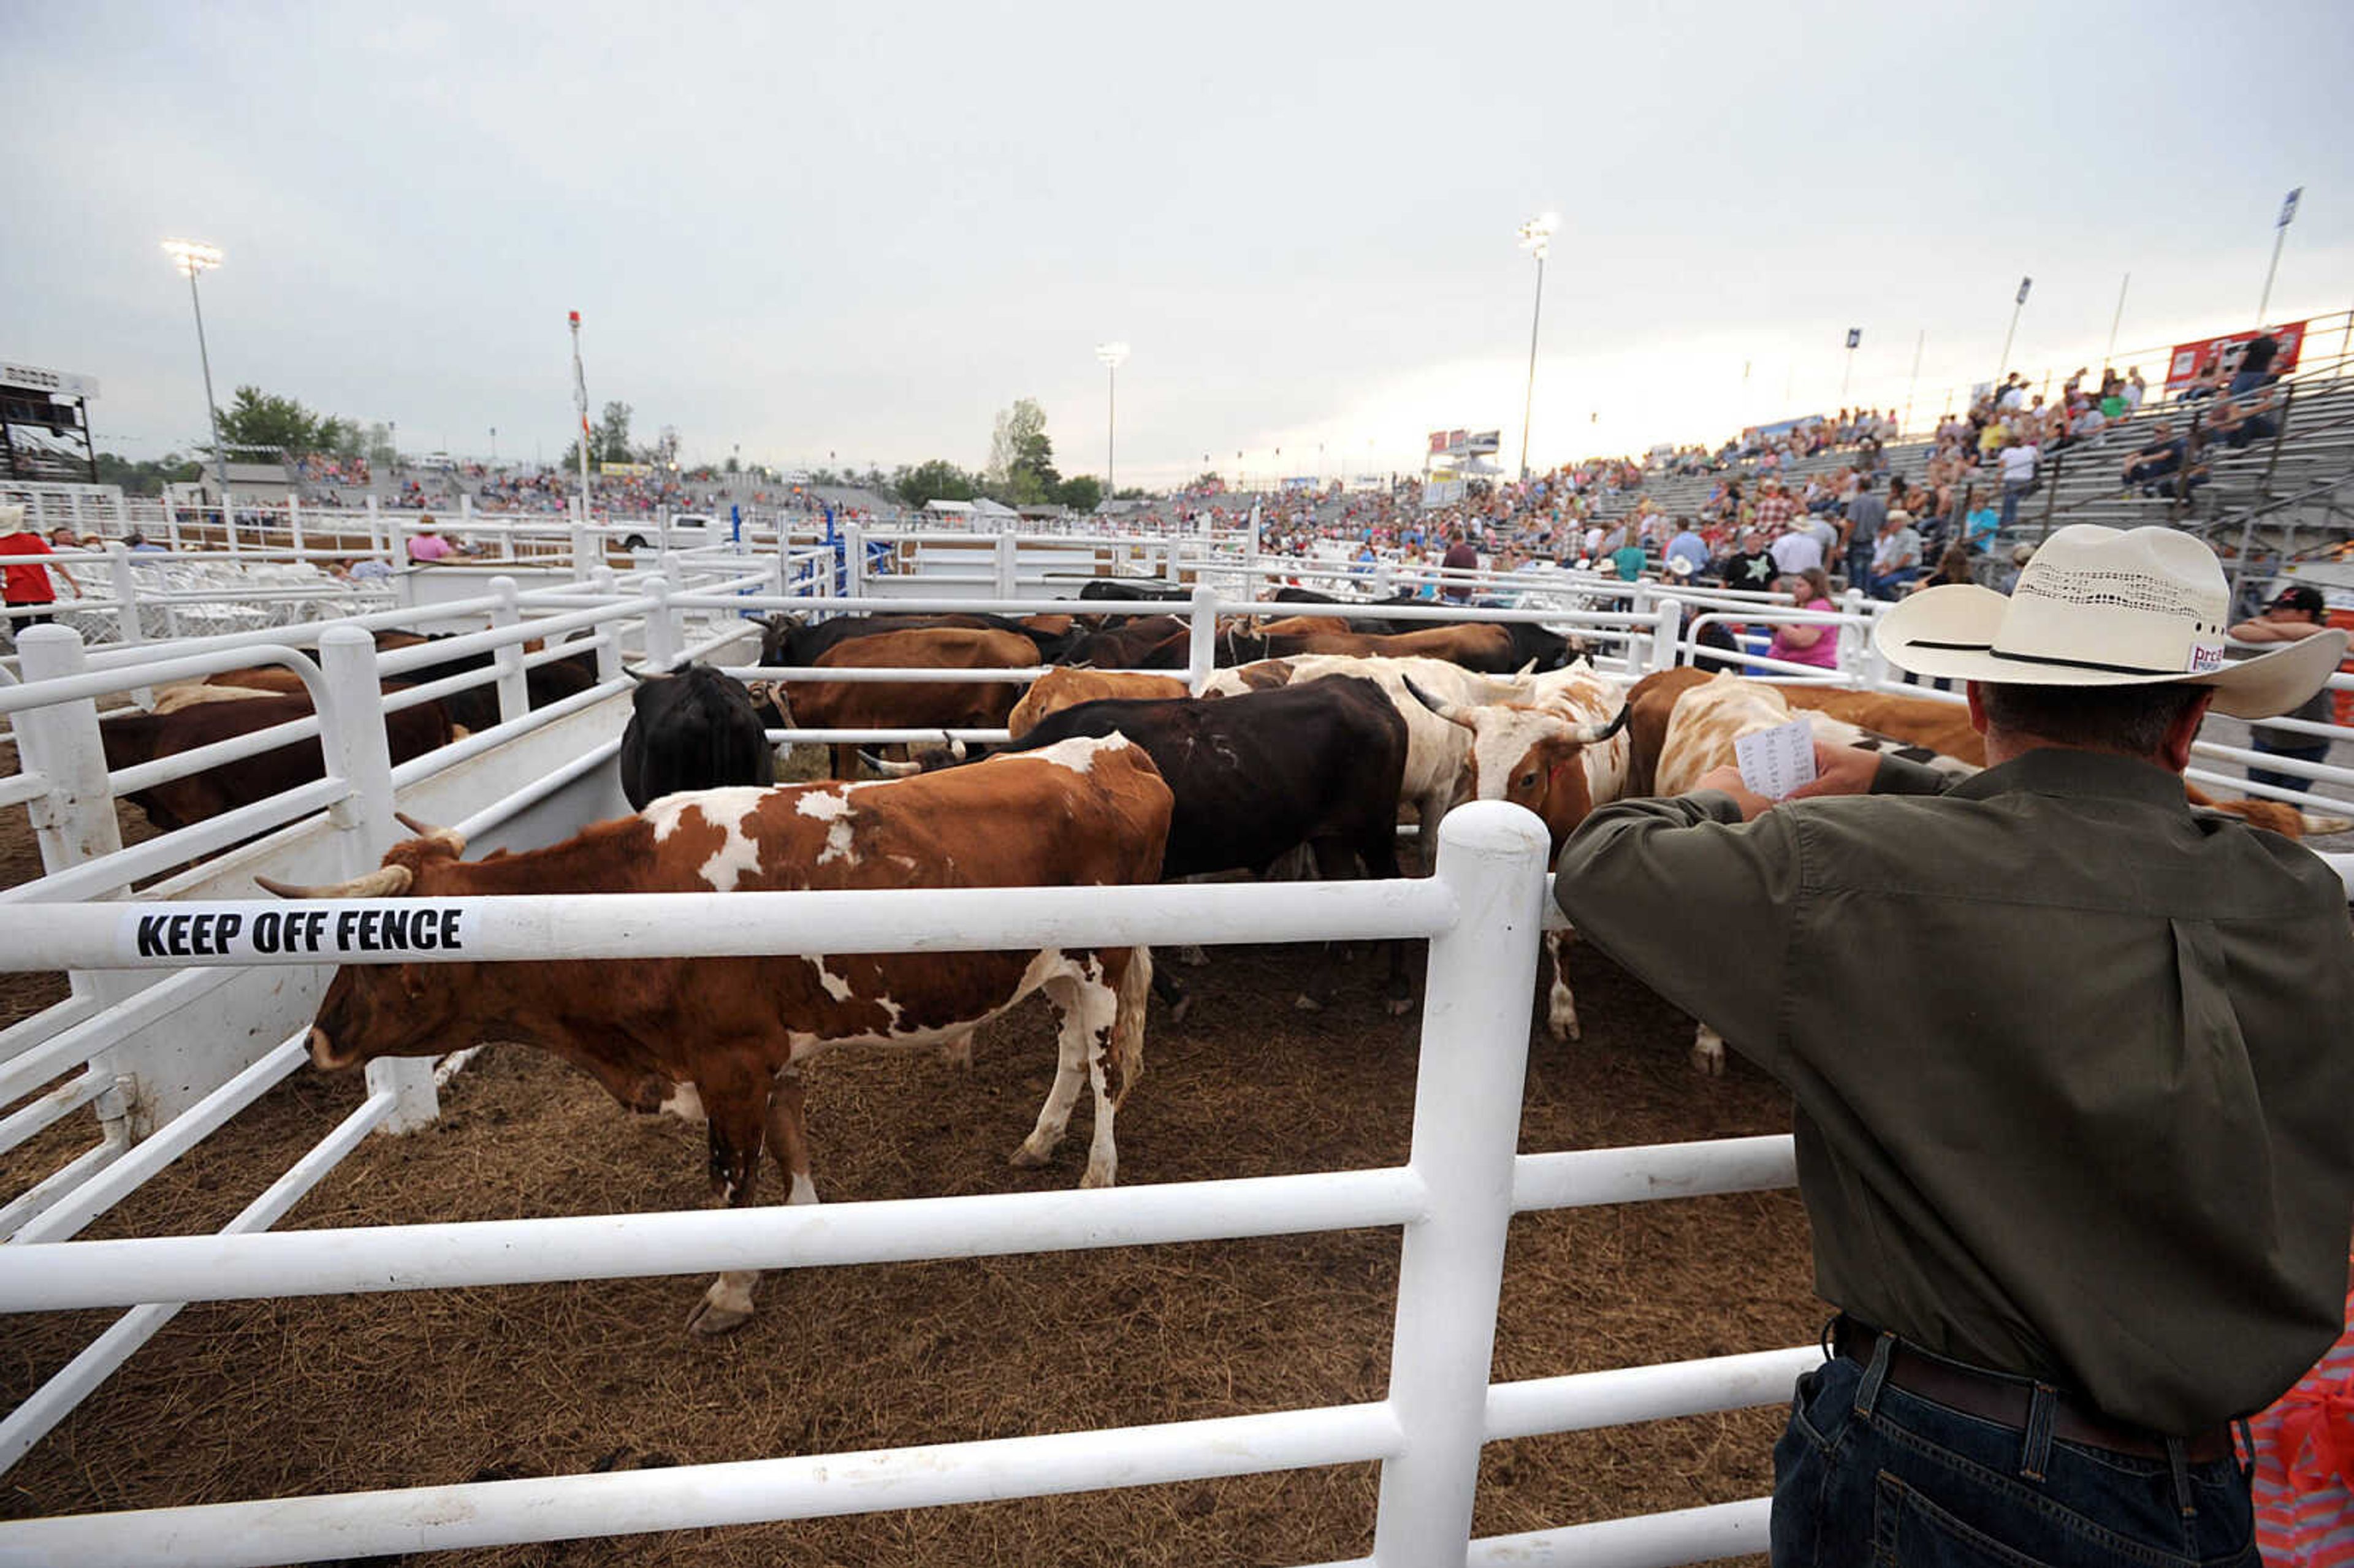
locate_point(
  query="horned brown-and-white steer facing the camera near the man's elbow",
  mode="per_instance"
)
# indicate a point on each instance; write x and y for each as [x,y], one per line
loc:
[1557,748]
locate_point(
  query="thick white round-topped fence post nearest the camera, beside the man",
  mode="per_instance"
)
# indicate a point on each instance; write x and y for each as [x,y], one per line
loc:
[1468,1119]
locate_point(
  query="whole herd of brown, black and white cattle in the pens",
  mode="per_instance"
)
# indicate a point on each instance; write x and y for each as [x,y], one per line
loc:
[1310,738]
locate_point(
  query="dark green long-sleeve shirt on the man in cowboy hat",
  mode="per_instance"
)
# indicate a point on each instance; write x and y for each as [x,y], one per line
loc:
[2073,1063]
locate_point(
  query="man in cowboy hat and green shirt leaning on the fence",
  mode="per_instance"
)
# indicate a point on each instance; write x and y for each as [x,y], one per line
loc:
[2070,1070]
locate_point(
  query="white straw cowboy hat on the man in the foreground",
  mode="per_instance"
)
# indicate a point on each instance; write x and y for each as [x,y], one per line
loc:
[2099,606]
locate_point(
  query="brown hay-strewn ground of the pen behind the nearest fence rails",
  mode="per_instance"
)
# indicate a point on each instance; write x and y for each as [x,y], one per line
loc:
[255,1400]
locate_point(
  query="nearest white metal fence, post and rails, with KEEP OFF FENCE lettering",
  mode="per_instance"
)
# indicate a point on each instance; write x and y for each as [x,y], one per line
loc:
[1454,1202]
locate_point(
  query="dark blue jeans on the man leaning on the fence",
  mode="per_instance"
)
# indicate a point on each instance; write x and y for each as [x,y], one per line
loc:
[1875,1477]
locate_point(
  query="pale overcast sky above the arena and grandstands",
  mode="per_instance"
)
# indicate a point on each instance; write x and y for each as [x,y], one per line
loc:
[865,230]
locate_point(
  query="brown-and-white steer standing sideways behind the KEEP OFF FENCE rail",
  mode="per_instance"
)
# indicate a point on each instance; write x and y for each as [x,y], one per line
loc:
[726,1037]
